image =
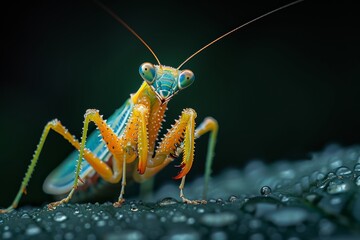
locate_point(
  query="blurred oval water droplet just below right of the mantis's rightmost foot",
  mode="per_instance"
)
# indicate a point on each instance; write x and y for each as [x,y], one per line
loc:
[218,219]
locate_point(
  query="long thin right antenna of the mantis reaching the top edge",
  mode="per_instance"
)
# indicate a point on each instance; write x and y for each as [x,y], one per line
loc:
[237,28]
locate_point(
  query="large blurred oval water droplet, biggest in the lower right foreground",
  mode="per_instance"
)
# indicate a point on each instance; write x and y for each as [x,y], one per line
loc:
[288,216]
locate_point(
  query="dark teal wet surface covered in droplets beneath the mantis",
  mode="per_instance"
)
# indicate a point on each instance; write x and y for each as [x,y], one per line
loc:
[317,198]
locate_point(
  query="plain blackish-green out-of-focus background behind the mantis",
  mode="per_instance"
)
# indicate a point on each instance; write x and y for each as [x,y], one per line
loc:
[281,88]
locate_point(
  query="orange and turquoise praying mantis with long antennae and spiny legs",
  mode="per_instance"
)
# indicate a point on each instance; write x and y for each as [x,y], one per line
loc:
[128,139]
